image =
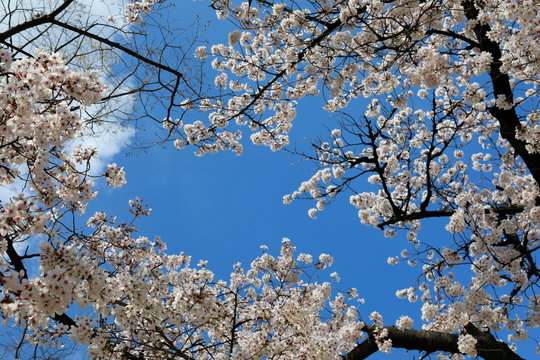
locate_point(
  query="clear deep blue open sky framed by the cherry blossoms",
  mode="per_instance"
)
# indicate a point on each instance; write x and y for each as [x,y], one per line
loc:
[221,208]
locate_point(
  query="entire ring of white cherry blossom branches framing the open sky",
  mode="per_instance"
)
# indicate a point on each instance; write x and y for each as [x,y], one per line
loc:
[449,130]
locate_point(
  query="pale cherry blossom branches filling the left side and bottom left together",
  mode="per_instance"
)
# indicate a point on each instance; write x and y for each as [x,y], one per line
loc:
[98,283]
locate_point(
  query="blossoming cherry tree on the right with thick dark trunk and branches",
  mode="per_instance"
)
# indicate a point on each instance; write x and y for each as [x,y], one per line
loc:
[450,130]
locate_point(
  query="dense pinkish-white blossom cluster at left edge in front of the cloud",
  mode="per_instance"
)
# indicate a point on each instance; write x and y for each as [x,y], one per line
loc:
[37,95]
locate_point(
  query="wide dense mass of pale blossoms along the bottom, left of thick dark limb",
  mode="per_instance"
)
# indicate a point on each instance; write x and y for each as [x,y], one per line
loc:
[130,283]
